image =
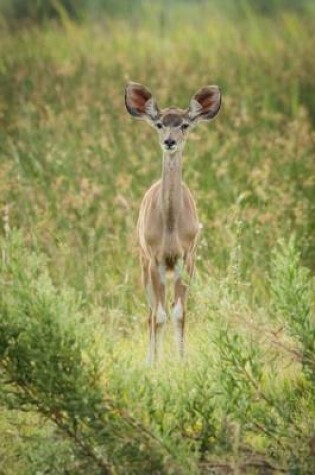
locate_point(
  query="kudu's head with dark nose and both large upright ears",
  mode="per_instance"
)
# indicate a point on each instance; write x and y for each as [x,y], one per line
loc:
[172,124]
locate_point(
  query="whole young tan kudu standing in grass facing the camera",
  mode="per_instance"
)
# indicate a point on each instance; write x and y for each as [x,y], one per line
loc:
[168,225]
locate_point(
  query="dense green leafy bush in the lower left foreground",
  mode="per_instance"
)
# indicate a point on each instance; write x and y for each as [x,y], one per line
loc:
[48,366]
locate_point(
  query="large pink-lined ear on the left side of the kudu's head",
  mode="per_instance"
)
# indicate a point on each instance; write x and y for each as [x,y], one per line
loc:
[139,102]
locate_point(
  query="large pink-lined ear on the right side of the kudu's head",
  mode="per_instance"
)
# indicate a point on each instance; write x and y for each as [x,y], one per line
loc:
[205,104]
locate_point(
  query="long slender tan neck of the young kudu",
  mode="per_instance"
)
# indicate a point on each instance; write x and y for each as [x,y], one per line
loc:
[171,191]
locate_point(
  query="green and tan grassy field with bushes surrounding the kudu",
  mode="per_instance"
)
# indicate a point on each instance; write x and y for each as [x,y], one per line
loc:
[75,394]
